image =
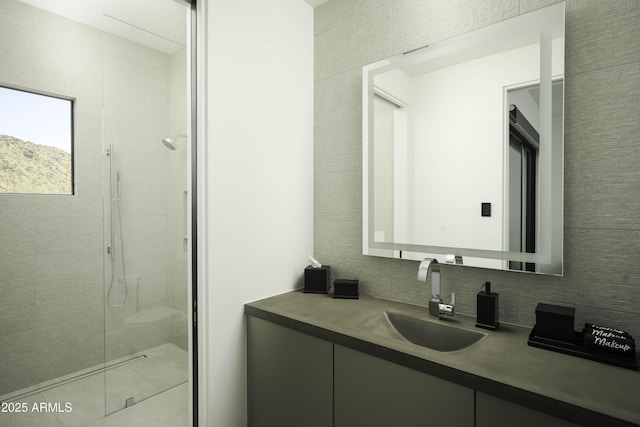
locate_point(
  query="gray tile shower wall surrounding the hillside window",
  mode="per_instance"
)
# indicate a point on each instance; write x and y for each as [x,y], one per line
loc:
[51,303]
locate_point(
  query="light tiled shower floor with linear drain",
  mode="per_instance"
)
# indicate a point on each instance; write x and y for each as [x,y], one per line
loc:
[164,368]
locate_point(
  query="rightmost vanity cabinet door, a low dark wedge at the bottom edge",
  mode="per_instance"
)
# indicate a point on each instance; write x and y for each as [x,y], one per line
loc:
[494,412]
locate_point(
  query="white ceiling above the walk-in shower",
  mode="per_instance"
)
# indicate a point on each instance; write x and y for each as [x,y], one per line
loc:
[166,19]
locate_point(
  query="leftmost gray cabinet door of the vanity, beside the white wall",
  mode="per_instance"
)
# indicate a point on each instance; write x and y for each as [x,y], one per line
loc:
[290,377]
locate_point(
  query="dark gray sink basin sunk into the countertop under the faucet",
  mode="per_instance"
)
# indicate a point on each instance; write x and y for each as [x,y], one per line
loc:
[435,336]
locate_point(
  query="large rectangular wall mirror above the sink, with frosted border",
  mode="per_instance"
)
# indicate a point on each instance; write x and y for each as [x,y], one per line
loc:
[463,148]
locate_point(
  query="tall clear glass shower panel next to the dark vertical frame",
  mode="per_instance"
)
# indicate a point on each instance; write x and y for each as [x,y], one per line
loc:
[145,182]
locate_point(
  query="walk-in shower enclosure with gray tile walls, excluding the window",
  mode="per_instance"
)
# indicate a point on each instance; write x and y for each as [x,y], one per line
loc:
[95,284]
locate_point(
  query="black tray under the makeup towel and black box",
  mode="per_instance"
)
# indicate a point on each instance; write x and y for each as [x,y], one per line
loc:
[577,349]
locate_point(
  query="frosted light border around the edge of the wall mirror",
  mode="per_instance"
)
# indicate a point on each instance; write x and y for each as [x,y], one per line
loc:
[545,23]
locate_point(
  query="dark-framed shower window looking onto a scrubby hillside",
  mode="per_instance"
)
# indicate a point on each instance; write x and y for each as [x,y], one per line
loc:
[36,143]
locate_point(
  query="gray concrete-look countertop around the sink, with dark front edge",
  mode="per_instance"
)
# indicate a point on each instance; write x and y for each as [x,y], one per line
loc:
[502,364]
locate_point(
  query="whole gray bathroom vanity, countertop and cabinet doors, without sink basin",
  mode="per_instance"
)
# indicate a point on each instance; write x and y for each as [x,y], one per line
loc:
[317,361]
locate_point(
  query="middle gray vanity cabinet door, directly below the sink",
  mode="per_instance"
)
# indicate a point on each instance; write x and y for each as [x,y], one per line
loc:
[374,392]
